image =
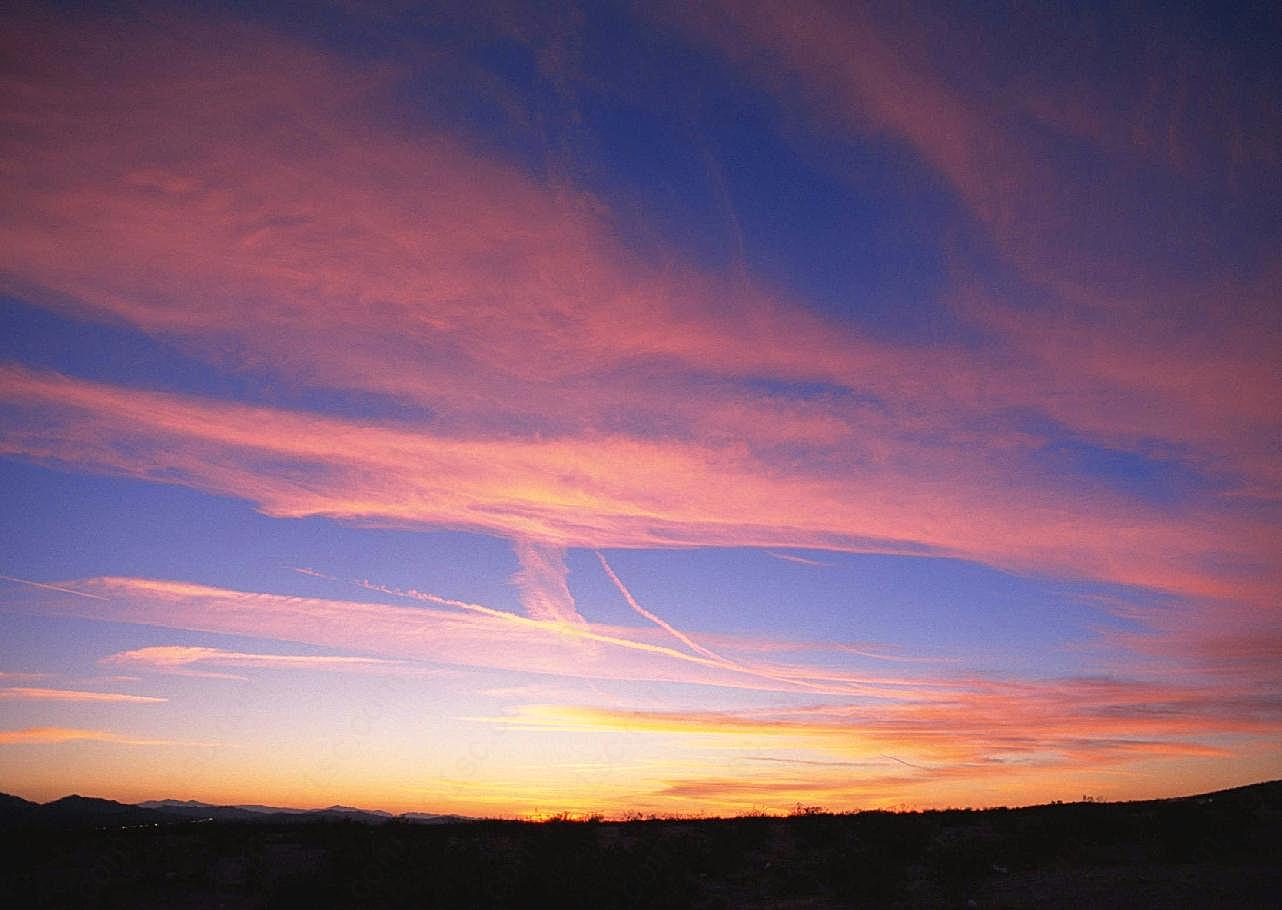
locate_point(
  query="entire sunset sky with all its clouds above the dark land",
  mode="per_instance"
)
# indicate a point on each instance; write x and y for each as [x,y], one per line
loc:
[662,408]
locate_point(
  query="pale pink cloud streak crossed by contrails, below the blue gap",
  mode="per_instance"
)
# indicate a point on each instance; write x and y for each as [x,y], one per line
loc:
[451,631]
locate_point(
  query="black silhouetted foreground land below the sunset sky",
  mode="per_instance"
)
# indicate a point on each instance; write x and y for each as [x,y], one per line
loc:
[1215,850]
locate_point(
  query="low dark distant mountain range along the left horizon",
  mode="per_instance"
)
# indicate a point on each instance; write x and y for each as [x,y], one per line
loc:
[85,812]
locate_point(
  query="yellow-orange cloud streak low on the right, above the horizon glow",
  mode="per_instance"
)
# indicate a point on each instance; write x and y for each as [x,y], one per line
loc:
[1022,725]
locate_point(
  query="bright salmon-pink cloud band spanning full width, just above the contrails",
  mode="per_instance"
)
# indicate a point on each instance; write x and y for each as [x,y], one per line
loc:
[616,490]
